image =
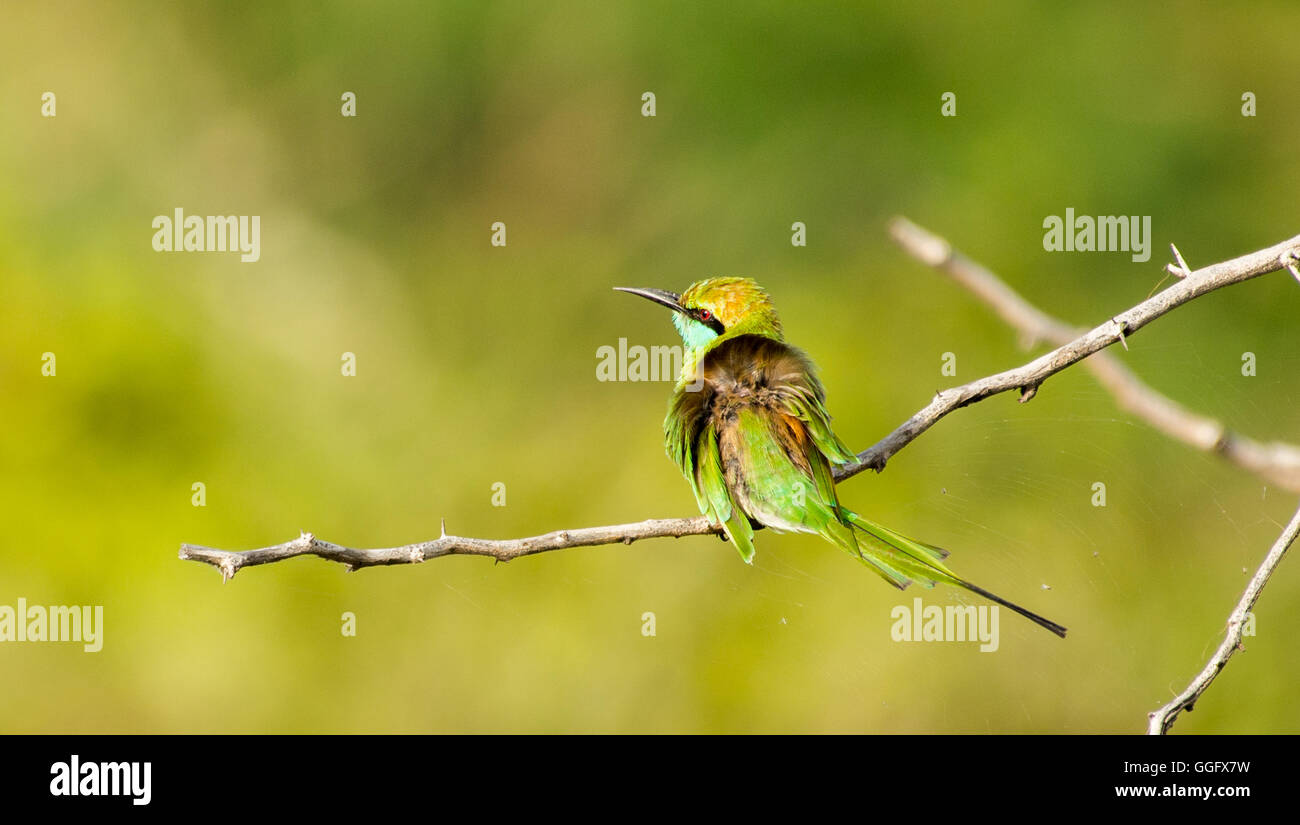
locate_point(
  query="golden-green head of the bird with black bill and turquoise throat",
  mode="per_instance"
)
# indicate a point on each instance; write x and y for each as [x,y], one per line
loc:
[717,309]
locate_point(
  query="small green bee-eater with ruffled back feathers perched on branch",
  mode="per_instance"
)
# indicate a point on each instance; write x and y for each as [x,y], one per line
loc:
[749,429]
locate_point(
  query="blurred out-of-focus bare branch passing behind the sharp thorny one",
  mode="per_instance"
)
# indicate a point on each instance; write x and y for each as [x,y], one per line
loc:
[1277,463]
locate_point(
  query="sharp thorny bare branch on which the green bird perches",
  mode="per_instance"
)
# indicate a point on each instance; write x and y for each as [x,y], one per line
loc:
[1026,379]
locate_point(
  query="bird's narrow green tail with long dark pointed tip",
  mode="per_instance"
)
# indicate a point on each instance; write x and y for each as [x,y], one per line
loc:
[902,561]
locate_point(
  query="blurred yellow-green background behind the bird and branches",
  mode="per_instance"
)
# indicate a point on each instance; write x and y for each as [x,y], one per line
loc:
[478,364]
